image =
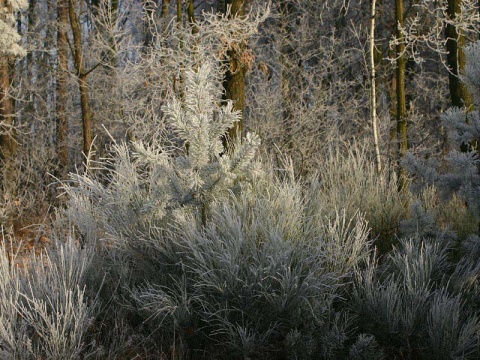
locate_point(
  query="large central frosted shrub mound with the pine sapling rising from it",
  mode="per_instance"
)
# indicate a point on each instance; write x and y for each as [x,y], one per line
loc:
[216,254]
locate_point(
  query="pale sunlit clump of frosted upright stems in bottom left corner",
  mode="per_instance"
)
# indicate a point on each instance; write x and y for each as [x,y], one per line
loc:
[54,302]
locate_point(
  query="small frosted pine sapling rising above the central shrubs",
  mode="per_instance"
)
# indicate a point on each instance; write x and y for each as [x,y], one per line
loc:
[206,169]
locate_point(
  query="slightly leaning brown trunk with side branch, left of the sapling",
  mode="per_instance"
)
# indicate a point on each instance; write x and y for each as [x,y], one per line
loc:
[82,78]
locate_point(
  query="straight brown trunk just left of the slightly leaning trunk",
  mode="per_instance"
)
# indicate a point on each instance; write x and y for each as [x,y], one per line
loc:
[62,92]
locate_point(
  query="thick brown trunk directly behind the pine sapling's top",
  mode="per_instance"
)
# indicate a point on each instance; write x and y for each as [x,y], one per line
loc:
[234,81]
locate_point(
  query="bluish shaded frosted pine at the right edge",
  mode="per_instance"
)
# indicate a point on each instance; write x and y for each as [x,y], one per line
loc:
[456,177]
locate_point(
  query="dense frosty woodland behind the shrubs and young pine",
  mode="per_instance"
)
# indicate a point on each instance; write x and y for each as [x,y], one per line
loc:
[300,74]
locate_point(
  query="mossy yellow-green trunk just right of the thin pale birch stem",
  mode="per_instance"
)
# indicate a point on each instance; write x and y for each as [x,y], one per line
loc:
[401,113]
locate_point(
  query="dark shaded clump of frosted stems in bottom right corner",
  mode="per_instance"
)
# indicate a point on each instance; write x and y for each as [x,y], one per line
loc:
[414,303]
